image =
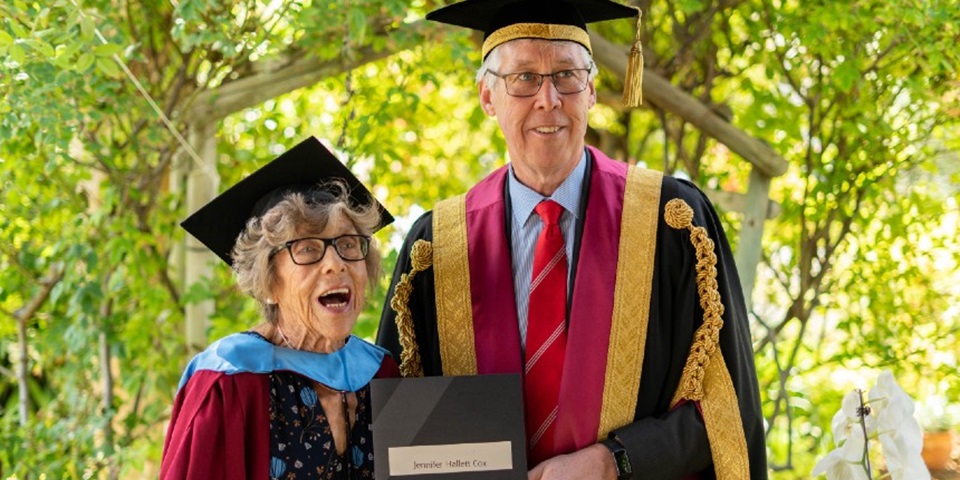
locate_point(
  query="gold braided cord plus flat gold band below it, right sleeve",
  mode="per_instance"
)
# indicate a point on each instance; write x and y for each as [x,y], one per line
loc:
[705,378]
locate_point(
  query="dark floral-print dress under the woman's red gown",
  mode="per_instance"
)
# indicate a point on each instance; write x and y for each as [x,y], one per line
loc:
[301,441]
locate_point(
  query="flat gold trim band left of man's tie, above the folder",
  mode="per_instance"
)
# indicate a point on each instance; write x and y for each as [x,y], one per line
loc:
[451,268]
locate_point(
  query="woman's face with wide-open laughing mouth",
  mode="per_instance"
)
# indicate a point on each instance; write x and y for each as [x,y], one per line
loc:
[323,299]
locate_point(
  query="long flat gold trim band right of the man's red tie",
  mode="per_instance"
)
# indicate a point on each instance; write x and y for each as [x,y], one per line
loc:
[631,299]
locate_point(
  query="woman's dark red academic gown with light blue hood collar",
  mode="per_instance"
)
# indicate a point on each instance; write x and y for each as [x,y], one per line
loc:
[220,425]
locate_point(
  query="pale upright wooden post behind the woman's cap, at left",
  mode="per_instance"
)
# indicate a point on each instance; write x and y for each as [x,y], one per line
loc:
[203,183]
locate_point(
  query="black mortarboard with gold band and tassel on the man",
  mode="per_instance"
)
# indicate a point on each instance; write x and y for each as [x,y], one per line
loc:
[504,20]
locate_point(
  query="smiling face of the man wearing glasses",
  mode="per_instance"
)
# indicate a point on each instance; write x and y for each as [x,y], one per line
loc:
[544,133]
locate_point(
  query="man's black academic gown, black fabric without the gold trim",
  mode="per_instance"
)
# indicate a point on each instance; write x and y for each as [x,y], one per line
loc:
[661,443]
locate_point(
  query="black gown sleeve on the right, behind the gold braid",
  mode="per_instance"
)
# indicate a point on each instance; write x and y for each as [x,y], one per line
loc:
[672,443]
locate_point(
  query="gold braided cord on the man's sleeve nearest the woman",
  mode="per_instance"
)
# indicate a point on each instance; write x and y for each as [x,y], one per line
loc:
[421,257]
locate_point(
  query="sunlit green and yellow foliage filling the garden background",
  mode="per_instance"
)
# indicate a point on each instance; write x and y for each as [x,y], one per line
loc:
[860,268]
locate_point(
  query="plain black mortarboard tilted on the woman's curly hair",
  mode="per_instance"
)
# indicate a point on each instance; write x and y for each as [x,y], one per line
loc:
[301,169]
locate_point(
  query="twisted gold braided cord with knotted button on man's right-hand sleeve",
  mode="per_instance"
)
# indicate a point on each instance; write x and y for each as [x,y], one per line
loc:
[679,215]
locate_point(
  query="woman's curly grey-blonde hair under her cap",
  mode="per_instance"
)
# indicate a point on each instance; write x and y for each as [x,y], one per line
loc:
[294,216]
